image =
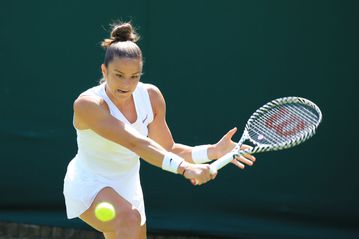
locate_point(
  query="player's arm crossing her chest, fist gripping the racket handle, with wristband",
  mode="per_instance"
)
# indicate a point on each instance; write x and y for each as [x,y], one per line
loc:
[92,113]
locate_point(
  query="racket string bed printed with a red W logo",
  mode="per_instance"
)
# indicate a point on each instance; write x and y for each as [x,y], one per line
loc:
[282,123]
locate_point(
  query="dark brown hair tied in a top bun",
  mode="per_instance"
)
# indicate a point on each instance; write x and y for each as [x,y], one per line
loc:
[121,43]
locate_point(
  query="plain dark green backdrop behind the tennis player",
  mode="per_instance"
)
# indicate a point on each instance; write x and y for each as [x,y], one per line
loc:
[215,62]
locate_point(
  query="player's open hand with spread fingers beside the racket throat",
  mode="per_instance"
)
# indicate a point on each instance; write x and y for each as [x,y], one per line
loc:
[225,145]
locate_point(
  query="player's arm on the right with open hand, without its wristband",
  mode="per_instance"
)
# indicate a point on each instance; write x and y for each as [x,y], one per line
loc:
[160,132]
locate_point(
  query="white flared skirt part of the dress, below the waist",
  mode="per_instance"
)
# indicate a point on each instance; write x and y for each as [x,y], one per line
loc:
[81,187]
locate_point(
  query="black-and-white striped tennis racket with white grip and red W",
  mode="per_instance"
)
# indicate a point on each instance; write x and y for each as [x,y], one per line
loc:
[279,124]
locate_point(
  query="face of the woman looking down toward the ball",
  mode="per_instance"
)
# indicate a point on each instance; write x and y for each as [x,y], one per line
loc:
[122,76]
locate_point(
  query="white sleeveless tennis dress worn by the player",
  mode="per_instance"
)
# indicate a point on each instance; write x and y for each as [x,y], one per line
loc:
[102,163]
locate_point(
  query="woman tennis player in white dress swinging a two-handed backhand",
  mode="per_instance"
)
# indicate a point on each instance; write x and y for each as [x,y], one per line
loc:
[117,122]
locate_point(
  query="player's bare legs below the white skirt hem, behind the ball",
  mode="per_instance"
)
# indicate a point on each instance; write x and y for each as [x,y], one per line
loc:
[127,222]
